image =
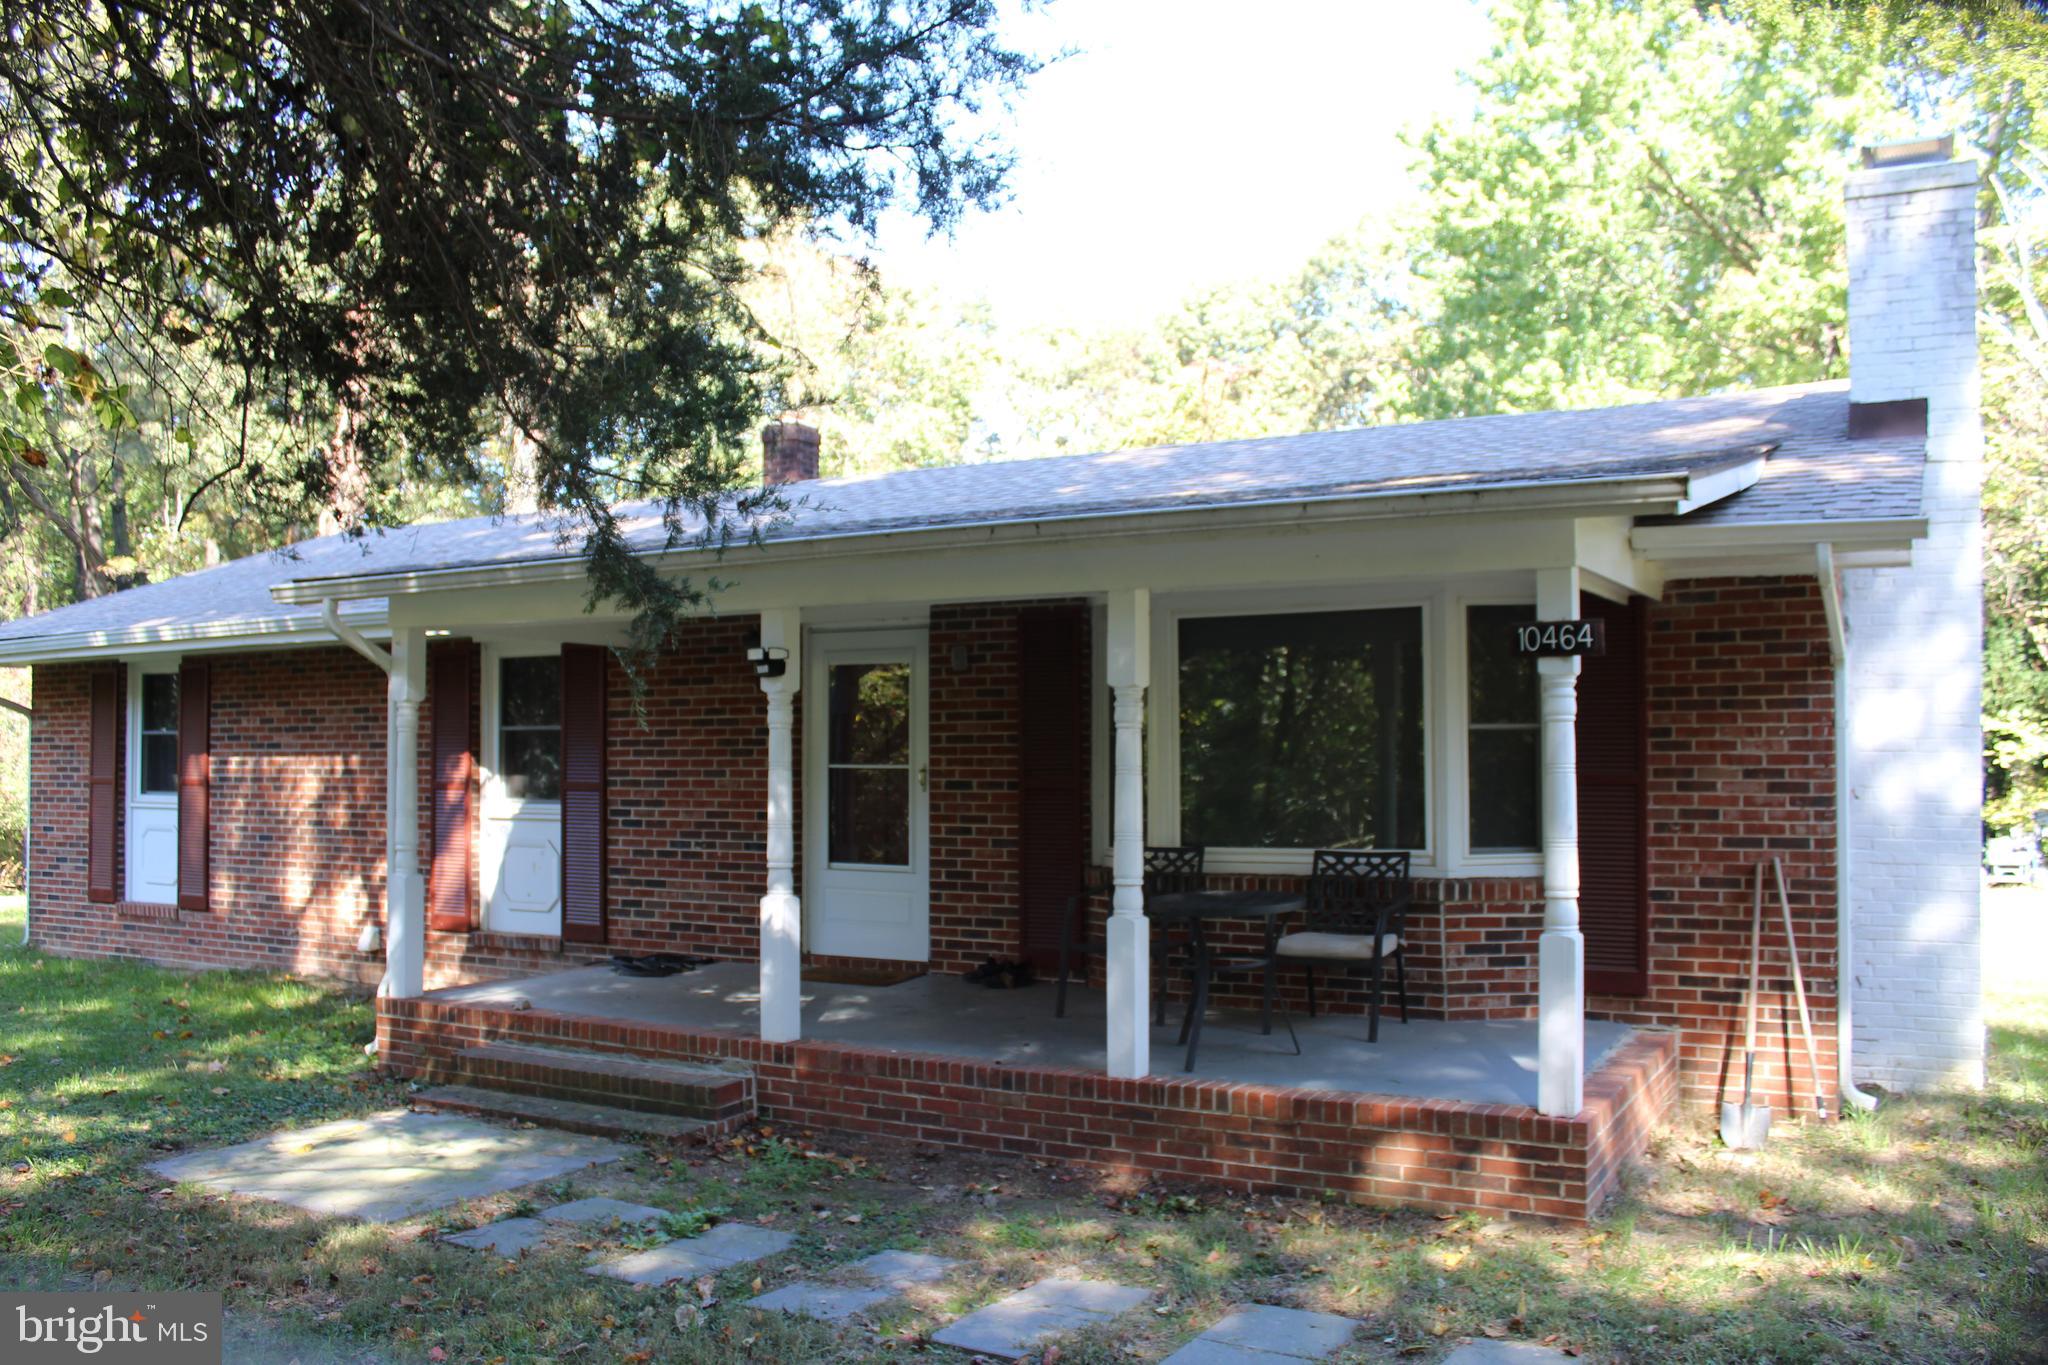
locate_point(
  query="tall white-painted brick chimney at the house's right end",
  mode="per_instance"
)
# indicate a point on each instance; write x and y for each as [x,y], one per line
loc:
[1916,633]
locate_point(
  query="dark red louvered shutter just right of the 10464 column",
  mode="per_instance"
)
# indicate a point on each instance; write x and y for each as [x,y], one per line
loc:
[1615,895]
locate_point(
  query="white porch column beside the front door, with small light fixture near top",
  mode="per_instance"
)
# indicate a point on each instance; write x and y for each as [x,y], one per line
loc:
[781,955]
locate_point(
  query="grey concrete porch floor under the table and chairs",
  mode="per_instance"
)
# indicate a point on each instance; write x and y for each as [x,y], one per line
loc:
[1428,1059]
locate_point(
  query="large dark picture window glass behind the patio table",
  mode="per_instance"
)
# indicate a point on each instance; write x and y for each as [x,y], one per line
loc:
[1304,732]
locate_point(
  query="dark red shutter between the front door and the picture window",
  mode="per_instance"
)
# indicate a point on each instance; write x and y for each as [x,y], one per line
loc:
[1052,773]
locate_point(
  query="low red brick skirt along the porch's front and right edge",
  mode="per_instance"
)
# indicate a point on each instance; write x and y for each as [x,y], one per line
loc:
[1371,1149]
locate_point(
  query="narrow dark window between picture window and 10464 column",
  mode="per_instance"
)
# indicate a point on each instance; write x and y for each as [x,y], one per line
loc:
[1504,734]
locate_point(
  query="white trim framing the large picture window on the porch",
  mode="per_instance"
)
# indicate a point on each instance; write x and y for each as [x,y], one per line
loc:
[1447,797]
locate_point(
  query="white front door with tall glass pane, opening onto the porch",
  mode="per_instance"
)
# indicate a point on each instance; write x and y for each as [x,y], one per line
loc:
[867,883]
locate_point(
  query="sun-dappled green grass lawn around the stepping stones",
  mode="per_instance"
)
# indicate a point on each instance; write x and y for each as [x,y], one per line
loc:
[1914,1235]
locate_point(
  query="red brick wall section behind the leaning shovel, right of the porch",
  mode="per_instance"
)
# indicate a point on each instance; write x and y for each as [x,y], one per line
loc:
[1742,770]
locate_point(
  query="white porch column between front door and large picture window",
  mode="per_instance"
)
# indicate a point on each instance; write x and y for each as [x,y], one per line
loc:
[1129,934]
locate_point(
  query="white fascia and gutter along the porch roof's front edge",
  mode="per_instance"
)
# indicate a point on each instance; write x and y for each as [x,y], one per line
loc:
[1633,496]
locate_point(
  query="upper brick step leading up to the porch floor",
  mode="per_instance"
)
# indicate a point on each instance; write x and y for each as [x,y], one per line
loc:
[613,1080]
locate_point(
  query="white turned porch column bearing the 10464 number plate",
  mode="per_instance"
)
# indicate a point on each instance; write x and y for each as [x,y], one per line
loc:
[1562,949]
